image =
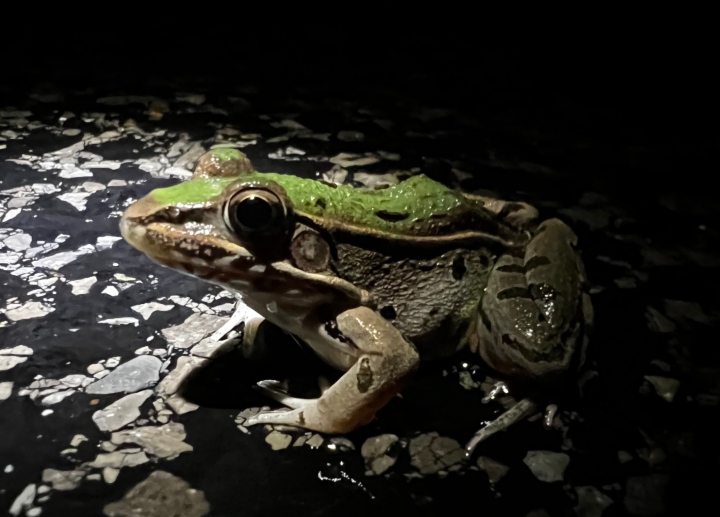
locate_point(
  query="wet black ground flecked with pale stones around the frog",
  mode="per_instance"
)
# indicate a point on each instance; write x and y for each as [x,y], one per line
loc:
[84,434]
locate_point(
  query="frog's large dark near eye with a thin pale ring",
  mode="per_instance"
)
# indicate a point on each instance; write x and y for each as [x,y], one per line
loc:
[254,211]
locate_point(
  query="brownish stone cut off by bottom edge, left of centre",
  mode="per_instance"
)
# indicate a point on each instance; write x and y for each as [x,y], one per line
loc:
[160,495]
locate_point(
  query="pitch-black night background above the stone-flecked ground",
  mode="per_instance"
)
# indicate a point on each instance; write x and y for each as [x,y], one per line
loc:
[648,86]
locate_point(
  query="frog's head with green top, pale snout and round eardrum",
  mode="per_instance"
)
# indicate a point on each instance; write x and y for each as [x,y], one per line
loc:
[238,229]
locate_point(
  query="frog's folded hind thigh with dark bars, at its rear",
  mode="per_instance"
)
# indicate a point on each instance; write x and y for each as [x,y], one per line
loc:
[530,317]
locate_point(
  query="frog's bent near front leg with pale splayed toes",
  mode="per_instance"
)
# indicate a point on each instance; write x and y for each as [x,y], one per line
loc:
[385,360]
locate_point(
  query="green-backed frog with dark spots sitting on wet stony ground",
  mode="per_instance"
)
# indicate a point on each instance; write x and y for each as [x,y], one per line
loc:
[375,280]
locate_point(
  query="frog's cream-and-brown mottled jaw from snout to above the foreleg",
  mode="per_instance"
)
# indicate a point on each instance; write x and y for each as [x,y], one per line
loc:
[233,267]
